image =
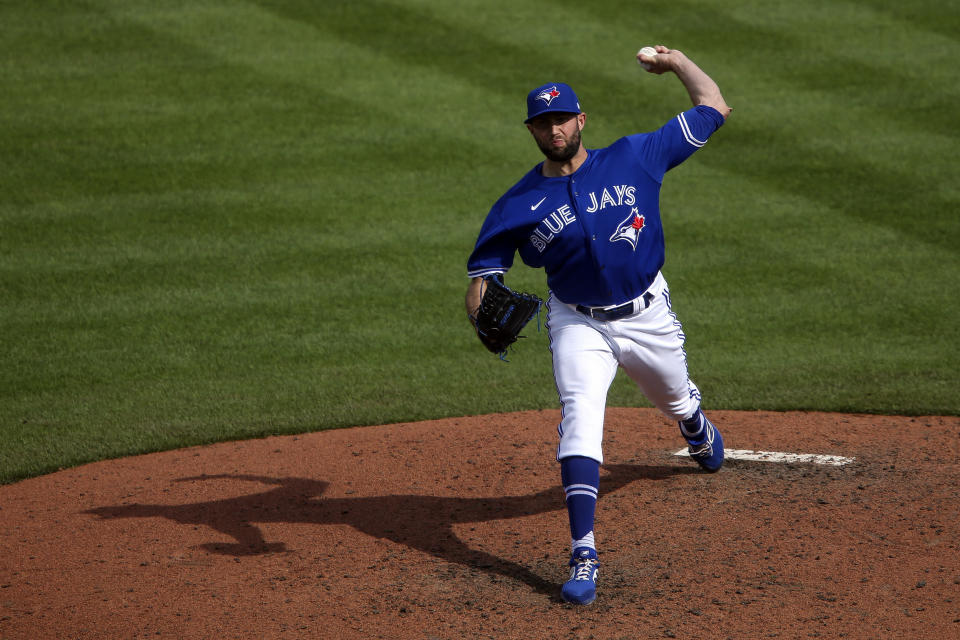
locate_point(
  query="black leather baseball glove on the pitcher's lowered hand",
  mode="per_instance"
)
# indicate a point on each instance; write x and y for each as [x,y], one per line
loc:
[502,314]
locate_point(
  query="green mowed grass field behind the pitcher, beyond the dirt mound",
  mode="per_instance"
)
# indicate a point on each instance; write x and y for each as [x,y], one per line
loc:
[228,219]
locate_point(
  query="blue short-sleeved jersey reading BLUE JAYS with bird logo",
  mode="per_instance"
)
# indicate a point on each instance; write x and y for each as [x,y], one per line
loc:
[597,232]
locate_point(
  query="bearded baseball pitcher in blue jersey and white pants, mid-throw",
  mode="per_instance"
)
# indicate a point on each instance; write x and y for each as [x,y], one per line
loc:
[591,219]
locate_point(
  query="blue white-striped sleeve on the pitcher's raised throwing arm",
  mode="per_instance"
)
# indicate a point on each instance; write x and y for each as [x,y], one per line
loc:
[674,142]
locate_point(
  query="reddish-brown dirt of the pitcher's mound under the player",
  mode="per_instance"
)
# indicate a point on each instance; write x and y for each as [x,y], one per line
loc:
[456,529]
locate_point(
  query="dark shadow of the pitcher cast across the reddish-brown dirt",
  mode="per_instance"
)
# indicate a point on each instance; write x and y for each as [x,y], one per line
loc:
[424,523]
